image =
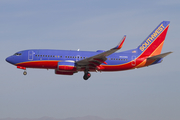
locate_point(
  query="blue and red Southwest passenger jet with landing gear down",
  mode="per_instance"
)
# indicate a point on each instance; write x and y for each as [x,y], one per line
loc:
[68,62]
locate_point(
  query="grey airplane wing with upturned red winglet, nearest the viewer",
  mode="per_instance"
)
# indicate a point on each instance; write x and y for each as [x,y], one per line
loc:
[95,61]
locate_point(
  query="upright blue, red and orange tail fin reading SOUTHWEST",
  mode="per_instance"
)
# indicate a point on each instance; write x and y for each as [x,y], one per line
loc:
[153,44]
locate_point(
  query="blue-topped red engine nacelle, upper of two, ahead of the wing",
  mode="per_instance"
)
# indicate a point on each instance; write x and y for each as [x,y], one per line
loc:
[66,66]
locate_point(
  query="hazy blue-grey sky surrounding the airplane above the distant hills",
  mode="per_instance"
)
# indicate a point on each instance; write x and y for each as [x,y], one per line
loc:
[150,93]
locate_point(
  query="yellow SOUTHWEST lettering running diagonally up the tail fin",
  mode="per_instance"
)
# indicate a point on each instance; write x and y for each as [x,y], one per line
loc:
[152,37]
